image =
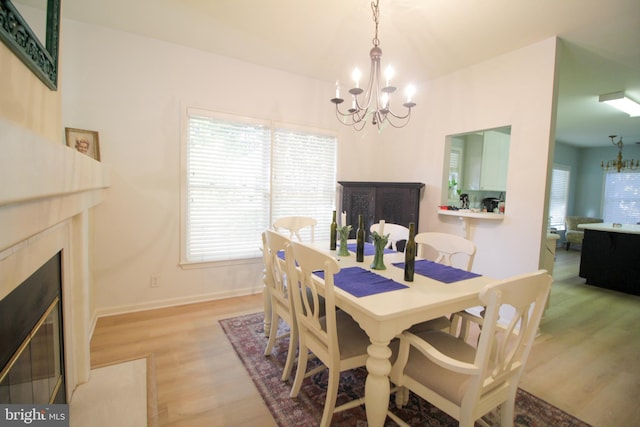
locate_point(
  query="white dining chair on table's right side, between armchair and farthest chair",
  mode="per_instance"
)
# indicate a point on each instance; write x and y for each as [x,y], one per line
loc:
[451,250]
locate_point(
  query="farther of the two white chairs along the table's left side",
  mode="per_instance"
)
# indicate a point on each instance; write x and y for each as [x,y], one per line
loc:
[280,300]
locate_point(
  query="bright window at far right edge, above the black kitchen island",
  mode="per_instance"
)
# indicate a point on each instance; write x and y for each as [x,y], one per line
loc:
[622,197]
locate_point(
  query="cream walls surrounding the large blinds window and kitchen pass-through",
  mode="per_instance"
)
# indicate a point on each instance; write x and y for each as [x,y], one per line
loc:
[131,89]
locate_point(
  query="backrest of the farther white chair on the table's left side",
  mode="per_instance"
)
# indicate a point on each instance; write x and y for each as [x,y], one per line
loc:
[274,243]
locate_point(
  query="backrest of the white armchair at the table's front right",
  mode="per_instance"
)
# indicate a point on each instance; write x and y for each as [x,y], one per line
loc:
[502,351]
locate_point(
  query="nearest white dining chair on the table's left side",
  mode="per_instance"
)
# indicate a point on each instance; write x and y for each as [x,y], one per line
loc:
[335,339]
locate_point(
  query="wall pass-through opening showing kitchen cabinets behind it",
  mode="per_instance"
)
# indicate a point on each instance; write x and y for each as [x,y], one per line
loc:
[476,164]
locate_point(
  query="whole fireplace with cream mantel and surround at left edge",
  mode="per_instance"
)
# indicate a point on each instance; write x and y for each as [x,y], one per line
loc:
[47,199]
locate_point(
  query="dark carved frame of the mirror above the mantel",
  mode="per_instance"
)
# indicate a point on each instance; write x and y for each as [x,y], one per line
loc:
[21,39]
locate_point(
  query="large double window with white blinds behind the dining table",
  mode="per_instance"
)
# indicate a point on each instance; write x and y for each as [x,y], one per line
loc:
[241,174]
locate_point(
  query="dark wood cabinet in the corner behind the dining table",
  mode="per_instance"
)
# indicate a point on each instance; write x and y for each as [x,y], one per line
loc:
[394,202]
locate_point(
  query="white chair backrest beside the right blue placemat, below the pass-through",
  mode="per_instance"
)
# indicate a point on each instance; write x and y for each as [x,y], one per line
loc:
[449,247]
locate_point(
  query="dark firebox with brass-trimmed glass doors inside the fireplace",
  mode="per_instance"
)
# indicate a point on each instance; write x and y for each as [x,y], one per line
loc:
[32,355]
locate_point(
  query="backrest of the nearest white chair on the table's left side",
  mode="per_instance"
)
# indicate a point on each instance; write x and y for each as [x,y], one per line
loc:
[321,336]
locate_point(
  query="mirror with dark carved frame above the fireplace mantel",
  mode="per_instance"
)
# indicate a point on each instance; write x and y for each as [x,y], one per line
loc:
[41,56]
